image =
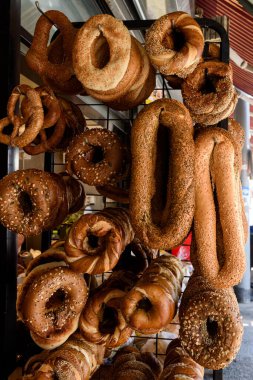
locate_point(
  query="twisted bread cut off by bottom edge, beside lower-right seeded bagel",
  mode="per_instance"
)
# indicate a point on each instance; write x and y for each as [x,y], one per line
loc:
[178,364]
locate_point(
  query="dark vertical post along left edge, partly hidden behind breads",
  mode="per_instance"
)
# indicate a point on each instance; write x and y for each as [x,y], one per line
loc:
[9,77]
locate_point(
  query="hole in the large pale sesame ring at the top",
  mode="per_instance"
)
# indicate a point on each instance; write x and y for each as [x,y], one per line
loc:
[100,52]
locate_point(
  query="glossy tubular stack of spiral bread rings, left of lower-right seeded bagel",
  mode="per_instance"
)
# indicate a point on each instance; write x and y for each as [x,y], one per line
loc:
[152,303]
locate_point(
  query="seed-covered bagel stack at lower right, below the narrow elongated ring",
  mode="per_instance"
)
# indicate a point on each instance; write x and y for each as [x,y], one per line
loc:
[210,324]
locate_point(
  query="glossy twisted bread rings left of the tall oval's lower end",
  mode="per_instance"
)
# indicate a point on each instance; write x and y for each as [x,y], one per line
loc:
[96,241]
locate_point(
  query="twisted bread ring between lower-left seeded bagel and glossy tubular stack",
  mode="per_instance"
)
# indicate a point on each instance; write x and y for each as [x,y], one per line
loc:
[101,321]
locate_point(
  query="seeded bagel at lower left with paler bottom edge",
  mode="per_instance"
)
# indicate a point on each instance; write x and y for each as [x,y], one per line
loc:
[52,323]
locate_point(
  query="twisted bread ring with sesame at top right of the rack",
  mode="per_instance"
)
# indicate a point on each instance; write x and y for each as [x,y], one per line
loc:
[162,49]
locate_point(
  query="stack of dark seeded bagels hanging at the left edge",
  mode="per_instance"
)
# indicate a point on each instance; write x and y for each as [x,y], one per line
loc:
[32,200]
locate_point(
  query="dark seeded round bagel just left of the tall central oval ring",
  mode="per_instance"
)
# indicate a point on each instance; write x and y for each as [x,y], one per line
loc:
[82,152]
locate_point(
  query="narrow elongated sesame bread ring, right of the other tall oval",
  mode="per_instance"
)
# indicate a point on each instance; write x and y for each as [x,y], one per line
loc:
[215,147]
